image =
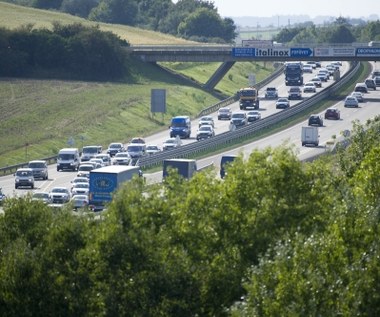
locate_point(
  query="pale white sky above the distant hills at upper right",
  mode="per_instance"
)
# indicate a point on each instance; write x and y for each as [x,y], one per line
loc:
[269,8]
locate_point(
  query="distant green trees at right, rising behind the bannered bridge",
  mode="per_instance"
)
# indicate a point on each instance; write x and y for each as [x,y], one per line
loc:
[341,31]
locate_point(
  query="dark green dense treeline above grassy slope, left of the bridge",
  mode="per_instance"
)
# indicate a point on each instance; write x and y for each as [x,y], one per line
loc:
[73,50]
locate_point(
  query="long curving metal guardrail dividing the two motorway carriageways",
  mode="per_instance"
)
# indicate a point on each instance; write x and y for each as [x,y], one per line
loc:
[232,137]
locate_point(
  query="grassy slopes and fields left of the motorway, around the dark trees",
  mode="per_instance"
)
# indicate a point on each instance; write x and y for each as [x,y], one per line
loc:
[40,116]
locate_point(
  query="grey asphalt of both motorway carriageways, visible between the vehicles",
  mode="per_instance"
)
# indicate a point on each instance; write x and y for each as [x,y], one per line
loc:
[267,107]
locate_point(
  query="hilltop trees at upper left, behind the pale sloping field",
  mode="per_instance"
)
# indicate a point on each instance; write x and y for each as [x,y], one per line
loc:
[196,20]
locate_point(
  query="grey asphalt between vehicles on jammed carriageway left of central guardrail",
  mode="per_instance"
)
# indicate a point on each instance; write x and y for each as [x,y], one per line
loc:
[267,107]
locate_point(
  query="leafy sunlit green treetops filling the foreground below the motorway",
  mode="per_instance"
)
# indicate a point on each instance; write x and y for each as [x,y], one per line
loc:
[277,237]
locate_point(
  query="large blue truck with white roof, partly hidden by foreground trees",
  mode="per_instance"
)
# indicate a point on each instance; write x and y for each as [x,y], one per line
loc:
[106,180]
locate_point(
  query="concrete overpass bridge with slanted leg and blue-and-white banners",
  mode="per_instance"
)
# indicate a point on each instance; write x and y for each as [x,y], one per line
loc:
[229,55]
